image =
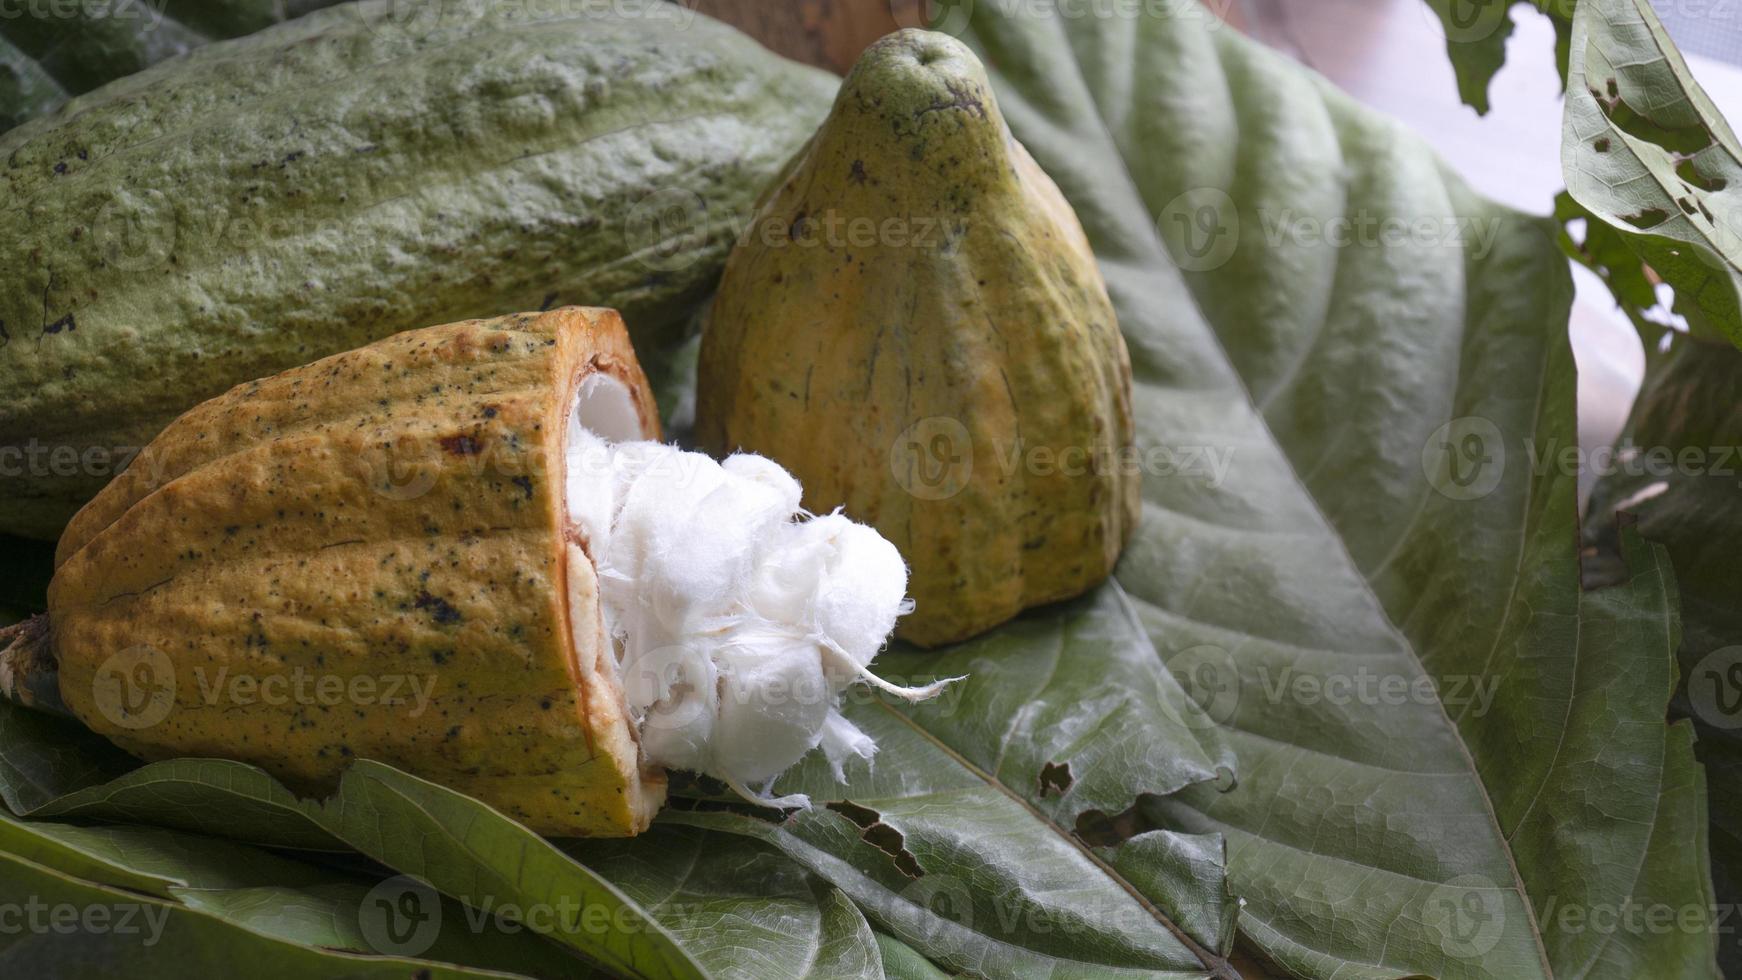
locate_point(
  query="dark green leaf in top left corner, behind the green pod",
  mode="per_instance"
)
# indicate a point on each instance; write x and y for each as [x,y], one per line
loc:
[55,51]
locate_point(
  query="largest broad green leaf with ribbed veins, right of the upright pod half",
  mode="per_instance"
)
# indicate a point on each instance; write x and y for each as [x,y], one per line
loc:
[1382,527]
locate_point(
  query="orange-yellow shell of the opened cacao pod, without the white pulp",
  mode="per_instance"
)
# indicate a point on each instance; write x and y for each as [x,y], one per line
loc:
[294,556]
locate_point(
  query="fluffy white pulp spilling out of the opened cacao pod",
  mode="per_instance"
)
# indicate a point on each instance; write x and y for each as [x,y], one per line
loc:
[738,619]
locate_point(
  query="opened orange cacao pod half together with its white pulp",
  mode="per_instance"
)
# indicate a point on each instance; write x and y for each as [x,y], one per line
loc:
[463,553]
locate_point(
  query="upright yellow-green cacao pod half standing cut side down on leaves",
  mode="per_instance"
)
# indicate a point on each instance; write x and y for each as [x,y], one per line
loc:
[917,330]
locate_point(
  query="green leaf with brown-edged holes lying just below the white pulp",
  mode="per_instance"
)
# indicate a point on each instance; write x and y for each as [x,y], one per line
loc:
[964,840]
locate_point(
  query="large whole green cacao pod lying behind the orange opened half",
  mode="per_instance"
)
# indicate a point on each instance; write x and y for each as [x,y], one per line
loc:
[360,171]
